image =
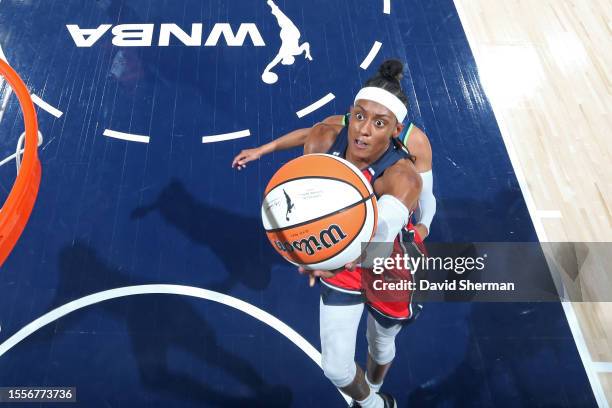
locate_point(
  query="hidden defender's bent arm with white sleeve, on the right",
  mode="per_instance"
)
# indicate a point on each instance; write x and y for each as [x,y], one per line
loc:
[419,146]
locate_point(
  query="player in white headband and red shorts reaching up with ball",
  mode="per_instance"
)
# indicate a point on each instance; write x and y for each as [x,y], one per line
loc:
[369,141]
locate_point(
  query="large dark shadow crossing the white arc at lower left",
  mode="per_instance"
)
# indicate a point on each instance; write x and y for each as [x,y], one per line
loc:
[158,324]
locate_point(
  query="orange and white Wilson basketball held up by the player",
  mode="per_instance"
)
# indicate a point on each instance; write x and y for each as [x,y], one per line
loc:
[317,211]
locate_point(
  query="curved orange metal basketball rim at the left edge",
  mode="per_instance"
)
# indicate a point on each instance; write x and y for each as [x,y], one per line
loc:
[18,206]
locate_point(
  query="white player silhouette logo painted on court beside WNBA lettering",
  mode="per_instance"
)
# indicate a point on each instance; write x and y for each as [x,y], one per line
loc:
[290,47]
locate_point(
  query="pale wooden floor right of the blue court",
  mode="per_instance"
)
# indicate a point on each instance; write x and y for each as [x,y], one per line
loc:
[546,66]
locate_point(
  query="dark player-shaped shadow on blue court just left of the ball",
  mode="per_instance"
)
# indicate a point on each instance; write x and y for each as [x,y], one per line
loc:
[246,255]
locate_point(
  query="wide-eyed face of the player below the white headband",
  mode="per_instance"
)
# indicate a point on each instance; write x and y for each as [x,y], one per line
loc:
[370,127]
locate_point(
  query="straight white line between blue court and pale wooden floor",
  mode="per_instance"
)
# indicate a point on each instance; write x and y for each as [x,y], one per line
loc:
[570,315]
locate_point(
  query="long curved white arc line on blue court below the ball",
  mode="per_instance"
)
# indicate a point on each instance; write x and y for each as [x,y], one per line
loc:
[230,301]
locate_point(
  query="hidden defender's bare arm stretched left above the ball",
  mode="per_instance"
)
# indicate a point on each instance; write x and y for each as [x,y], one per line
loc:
[292,139]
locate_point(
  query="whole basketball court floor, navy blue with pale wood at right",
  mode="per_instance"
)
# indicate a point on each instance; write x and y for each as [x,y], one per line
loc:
[144,278]
